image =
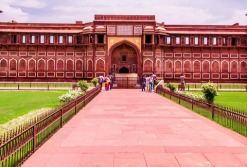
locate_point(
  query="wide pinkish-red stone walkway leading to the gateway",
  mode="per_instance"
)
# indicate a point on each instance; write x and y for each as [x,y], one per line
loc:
[130,128]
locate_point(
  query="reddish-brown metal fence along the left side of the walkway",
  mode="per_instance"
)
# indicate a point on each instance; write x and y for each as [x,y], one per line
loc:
[19,143]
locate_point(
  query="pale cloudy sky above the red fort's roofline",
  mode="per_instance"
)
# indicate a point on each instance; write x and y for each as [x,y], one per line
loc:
[224,12]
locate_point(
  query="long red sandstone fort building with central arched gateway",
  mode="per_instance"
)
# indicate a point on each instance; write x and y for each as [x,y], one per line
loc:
[122,44]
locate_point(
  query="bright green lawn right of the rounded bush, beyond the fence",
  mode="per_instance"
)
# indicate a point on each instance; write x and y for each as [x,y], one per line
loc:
[232,99]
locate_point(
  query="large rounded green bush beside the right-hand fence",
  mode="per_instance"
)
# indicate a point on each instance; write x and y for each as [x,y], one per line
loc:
[210,91]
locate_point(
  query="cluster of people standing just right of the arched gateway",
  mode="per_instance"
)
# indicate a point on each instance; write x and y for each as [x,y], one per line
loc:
[147,82]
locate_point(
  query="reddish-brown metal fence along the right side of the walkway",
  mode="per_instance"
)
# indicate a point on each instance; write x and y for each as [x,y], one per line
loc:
[226,116]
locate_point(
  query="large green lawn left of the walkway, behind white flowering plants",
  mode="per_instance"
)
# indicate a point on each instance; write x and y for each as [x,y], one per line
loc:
[17,103]
